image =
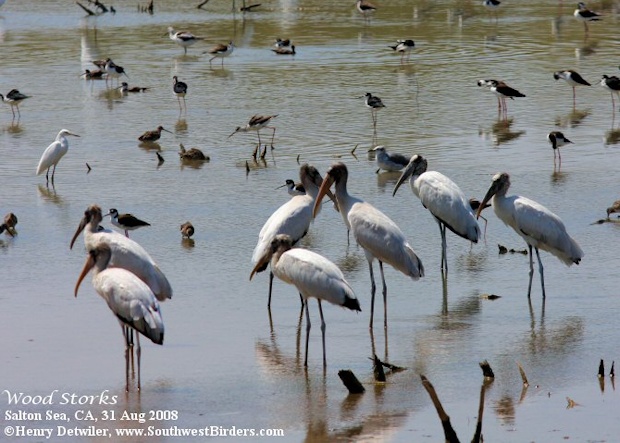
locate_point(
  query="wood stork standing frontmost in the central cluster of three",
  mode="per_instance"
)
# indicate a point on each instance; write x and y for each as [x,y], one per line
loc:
[312,274]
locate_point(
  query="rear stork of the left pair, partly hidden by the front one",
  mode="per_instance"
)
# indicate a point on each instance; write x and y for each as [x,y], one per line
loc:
[125,253]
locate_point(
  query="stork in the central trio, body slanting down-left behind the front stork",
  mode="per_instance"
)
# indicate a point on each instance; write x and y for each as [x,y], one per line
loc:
[292,218]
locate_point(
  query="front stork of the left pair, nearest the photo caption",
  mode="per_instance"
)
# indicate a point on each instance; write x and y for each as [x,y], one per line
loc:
[129,298]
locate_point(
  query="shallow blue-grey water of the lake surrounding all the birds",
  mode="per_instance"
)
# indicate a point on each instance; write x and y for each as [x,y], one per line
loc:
[223,363]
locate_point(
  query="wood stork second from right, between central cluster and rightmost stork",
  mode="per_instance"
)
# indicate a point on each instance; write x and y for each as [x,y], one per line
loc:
[445,201]
